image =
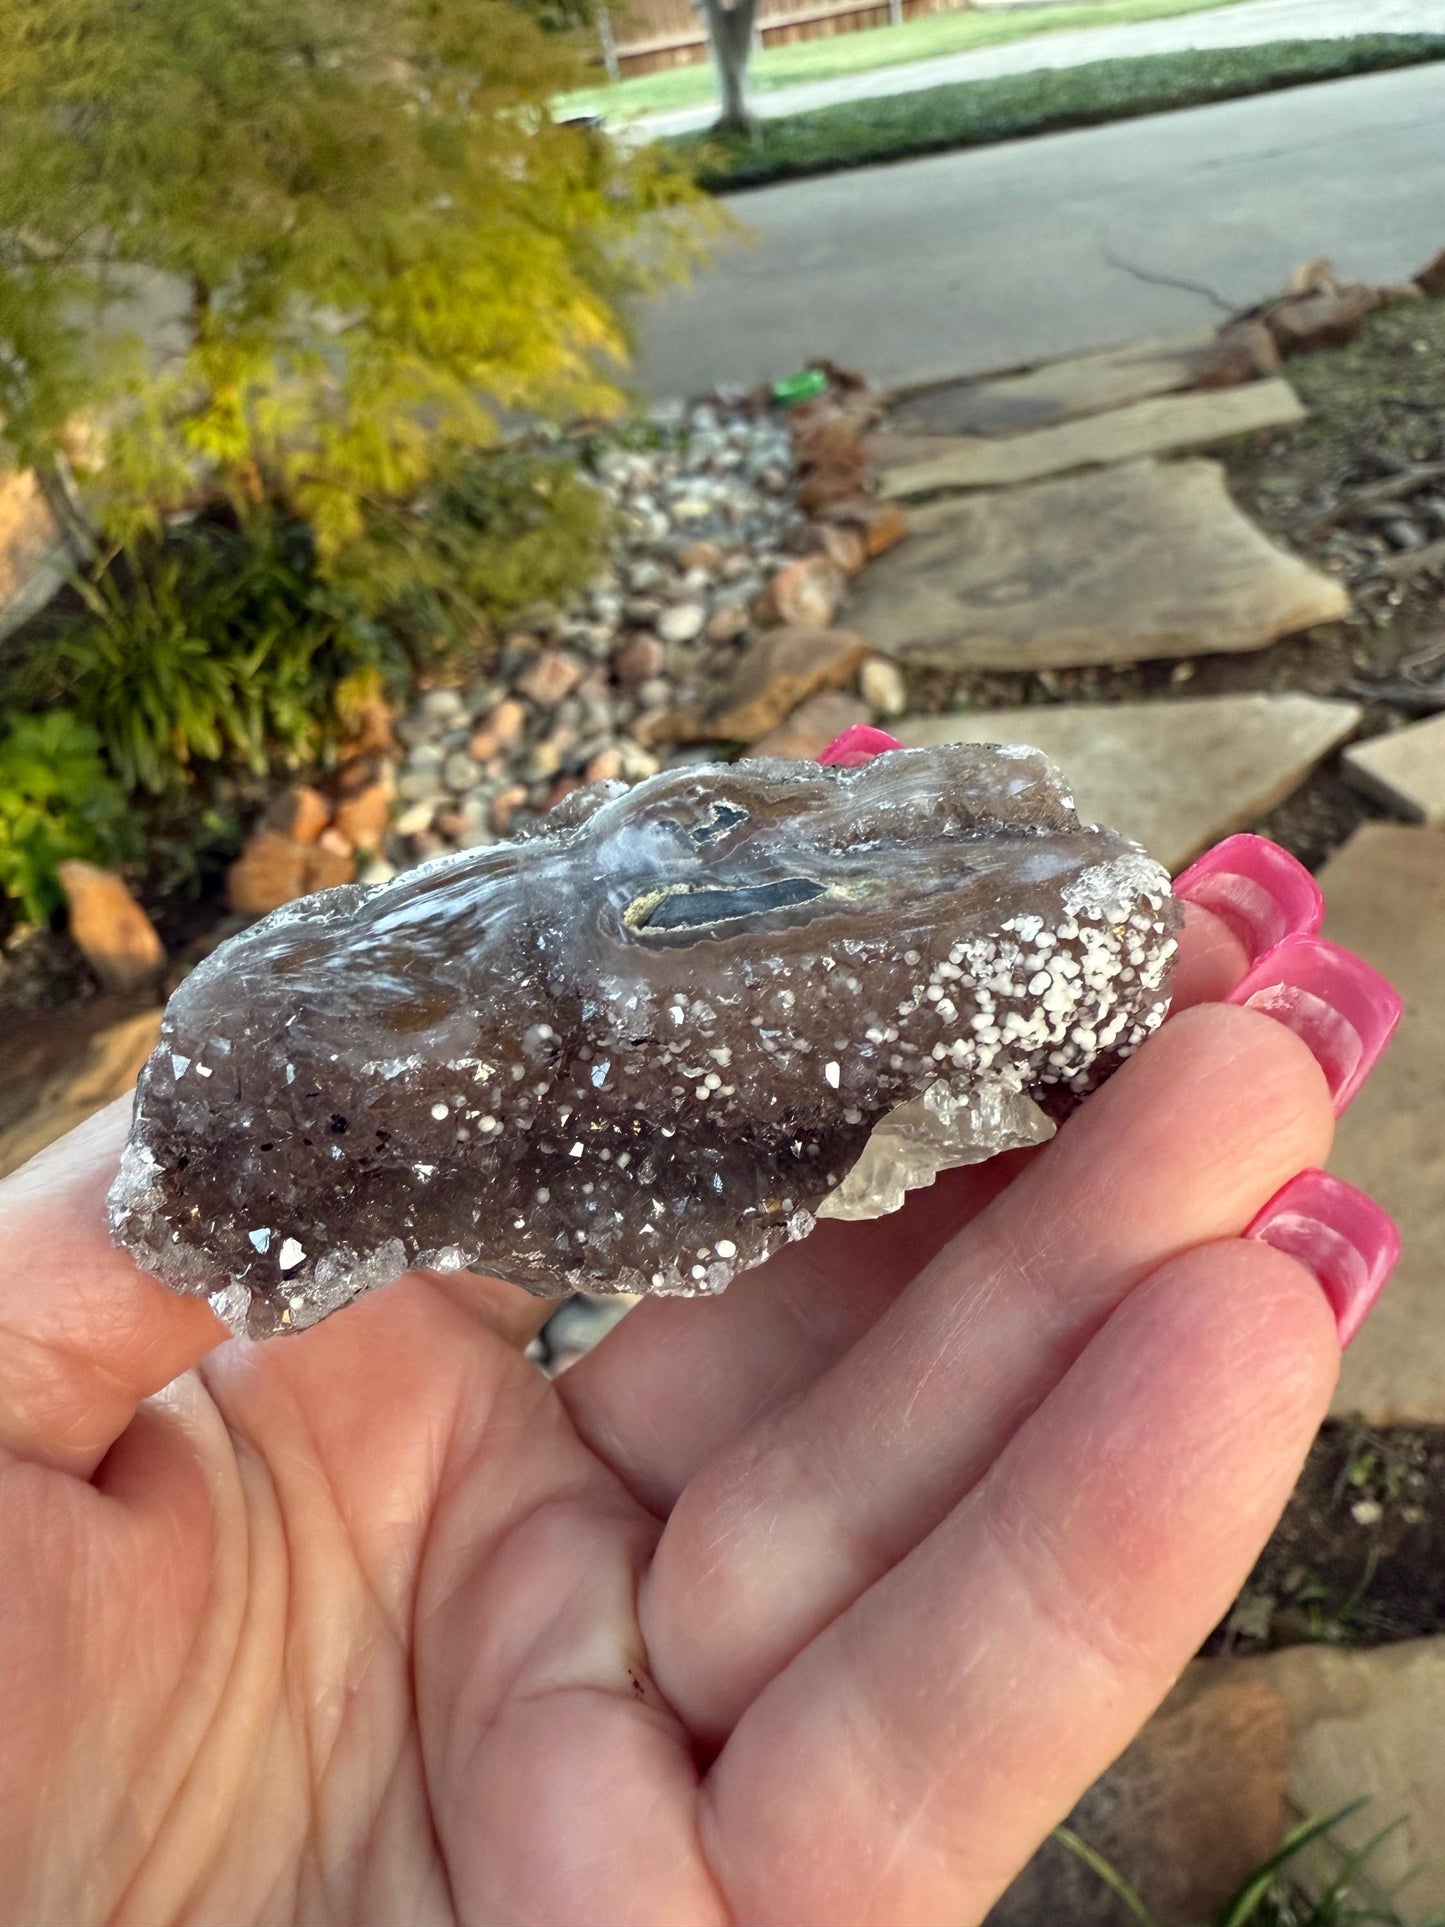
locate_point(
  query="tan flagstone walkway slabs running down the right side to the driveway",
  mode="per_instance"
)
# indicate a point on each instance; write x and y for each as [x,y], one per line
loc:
[1143,560]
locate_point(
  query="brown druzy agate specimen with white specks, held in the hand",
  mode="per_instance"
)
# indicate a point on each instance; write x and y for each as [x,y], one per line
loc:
[641,1047]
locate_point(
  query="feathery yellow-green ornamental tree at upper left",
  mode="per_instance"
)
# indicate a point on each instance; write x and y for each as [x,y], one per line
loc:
[307,250]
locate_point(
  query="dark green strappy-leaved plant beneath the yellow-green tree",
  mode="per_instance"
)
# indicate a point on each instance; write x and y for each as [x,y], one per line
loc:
[223,648]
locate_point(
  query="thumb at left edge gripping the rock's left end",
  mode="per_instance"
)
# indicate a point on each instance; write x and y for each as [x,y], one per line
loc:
[86,1334]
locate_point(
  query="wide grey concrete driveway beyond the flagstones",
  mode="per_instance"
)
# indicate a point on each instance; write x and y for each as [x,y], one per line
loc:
[1005,255]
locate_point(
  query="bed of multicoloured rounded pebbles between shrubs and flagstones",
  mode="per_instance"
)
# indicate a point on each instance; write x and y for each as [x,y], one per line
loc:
[704,517]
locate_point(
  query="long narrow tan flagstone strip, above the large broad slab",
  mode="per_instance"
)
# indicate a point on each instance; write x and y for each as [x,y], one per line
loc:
[1161,427]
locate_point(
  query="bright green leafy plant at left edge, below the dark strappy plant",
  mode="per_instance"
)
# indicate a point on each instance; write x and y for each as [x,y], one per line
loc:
[57,801]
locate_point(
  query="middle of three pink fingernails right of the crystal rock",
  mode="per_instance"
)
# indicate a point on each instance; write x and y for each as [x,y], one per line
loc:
[1342,1009]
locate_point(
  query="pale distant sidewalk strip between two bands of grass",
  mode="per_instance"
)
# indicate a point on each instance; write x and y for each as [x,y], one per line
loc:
[1248,24]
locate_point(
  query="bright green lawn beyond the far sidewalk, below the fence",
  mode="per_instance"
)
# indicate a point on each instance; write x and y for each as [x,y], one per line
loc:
[860,53]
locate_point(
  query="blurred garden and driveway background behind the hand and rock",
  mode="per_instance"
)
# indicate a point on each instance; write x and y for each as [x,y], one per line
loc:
[415,413]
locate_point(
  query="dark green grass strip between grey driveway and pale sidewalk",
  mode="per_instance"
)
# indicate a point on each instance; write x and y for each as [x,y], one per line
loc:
[1011,107]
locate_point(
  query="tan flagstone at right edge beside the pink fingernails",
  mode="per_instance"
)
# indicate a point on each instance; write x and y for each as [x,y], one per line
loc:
[1386,895]
